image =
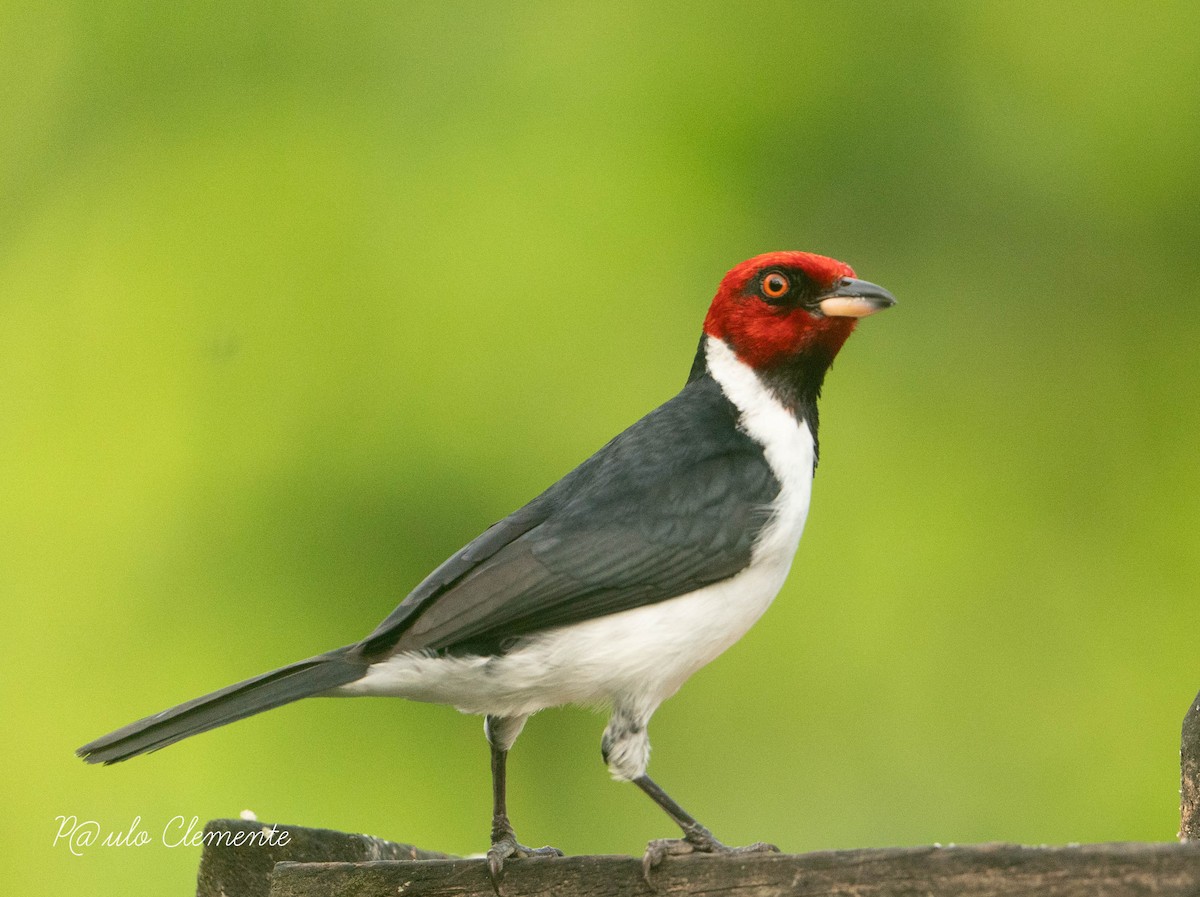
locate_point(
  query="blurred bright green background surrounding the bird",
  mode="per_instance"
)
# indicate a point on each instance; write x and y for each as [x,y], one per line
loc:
[298,298]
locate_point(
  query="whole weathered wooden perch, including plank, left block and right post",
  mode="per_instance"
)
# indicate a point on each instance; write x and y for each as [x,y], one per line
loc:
[319,863]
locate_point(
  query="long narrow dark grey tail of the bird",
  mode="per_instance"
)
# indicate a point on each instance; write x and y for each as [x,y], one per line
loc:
[237,702]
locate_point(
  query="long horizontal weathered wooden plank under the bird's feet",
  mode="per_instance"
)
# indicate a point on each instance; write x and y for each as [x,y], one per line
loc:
[1121,870]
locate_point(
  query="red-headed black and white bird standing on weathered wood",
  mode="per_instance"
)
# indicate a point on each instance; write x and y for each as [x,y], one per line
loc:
[623,579]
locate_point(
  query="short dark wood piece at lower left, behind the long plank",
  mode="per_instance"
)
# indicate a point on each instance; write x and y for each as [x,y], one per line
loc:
[237,862]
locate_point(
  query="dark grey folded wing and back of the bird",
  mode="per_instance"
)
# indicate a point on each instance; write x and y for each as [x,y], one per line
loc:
[673,504]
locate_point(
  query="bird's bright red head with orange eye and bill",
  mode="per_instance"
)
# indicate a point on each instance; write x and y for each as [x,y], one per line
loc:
[783,305]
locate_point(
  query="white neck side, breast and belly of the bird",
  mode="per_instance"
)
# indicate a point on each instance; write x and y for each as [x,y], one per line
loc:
[637,658]
